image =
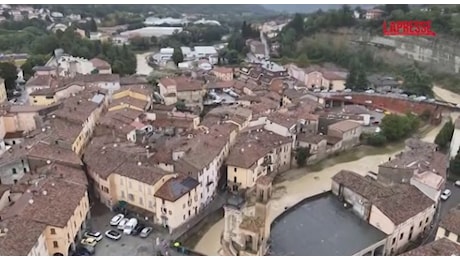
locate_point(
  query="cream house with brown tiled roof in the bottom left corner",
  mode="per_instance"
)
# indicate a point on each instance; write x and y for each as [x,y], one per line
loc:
[49,220]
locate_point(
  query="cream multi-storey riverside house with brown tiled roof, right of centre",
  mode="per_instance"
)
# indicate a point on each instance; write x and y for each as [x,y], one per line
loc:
[257,152]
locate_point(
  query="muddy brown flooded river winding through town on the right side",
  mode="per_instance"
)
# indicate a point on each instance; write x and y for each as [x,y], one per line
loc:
[298,184]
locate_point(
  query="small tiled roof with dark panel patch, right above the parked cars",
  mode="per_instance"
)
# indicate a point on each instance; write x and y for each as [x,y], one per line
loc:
[175,188]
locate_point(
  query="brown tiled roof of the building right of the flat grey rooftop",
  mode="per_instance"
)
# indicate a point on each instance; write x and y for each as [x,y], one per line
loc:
[399,202]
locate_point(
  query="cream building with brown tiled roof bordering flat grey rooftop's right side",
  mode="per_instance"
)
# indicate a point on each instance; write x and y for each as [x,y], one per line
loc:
[400,210]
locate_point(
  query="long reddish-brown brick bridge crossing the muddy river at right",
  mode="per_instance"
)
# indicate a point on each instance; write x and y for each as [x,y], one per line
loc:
[391,103]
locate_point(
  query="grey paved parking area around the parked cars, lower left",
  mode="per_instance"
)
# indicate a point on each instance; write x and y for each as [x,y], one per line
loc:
[127,245]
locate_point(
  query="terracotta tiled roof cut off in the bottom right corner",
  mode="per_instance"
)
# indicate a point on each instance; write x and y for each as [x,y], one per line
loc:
[441,247]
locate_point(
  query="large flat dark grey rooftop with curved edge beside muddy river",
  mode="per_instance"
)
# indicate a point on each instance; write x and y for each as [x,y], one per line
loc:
[321,226]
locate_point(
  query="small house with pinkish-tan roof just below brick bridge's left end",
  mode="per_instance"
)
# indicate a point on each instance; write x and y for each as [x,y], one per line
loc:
[348,131]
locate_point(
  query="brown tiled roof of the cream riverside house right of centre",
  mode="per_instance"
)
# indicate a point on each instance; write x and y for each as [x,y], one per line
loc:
[253,145]
